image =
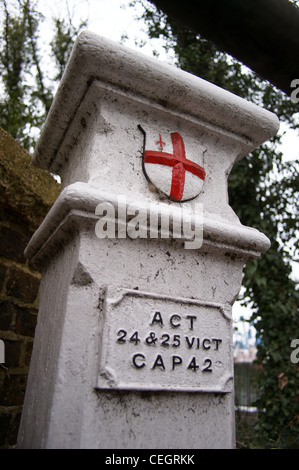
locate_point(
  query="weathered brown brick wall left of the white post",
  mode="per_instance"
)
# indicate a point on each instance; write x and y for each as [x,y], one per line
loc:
[26,195]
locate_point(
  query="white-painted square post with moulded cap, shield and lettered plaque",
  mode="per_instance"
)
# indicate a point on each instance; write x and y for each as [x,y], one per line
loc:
[141,256]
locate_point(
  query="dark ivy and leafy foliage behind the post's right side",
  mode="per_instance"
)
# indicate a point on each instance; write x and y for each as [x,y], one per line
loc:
[263,190]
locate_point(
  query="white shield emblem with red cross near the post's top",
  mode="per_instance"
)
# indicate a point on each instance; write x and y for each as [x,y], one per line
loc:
[173,174]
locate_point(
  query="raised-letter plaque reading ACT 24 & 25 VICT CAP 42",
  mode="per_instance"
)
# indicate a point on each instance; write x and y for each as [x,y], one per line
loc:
[155,342]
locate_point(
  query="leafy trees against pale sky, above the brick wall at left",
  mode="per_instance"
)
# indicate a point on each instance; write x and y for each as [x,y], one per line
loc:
[27,90]
